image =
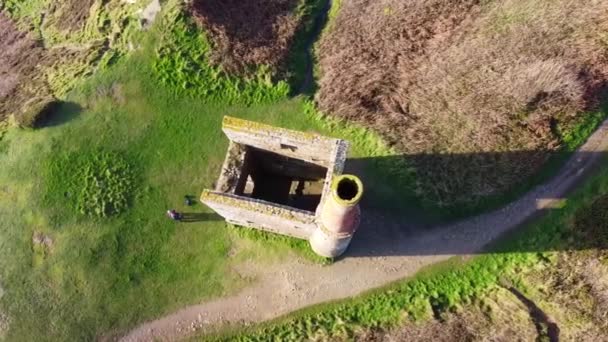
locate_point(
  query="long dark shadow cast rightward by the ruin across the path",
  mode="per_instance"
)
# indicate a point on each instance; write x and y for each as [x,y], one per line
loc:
[392,226]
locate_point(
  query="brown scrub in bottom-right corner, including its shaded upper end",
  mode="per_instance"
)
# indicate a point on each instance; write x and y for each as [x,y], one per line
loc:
[570,289]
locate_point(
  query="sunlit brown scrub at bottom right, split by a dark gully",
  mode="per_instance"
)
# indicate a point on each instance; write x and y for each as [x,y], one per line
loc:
[572,293]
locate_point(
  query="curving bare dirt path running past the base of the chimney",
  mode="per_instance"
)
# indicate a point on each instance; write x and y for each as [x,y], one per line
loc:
[384,250]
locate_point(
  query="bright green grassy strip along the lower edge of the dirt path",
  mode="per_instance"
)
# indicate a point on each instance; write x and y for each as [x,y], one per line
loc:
[449,285]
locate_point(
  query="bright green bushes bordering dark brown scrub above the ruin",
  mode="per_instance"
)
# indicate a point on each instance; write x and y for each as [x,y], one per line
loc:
[182,65]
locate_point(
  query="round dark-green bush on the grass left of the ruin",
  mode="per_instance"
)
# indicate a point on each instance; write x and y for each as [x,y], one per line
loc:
[95,183]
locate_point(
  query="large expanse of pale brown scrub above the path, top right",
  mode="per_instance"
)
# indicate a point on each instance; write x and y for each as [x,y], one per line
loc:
[457,85]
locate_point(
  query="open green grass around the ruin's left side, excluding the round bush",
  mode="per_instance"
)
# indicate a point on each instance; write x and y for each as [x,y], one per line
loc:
[101,275]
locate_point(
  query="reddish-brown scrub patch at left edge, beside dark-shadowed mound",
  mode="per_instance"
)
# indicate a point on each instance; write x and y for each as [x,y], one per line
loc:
[23,88]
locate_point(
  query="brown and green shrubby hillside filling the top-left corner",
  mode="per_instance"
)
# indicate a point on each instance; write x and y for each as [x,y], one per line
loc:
[46,47]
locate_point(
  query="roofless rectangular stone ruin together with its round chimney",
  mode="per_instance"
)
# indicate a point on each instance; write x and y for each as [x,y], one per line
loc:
[287,182]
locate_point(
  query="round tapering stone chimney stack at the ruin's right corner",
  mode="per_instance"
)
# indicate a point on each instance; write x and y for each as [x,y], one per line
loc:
[338,217]
